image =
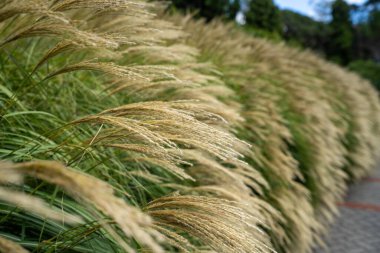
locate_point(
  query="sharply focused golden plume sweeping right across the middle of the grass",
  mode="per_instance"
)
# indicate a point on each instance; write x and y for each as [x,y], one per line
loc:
[165,124]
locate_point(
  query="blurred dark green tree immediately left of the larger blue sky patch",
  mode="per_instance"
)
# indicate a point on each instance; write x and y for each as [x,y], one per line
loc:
[263,14]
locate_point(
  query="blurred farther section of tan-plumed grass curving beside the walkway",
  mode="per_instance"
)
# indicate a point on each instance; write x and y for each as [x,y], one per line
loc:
[307,121]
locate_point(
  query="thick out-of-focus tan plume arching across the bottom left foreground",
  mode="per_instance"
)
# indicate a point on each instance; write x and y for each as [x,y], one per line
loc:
[95,192]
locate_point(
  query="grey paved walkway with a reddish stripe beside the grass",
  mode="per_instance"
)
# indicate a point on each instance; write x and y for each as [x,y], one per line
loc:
[357,230]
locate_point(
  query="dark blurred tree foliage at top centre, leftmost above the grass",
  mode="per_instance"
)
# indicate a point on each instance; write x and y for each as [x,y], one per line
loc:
[210,8]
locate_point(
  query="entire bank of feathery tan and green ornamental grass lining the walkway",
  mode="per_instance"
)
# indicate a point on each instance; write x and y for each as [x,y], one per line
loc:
[123,130]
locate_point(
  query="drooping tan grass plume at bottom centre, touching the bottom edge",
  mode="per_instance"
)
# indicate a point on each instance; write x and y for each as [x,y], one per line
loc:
[212,220]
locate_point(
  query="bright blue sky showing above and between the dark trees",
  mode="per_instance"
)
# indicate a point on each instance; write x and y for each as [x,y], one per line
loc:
[305,6]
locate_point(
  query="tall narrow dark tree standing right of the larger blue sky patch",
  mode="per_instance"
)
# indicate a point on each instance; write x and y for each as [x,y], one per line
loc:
[341,37]
